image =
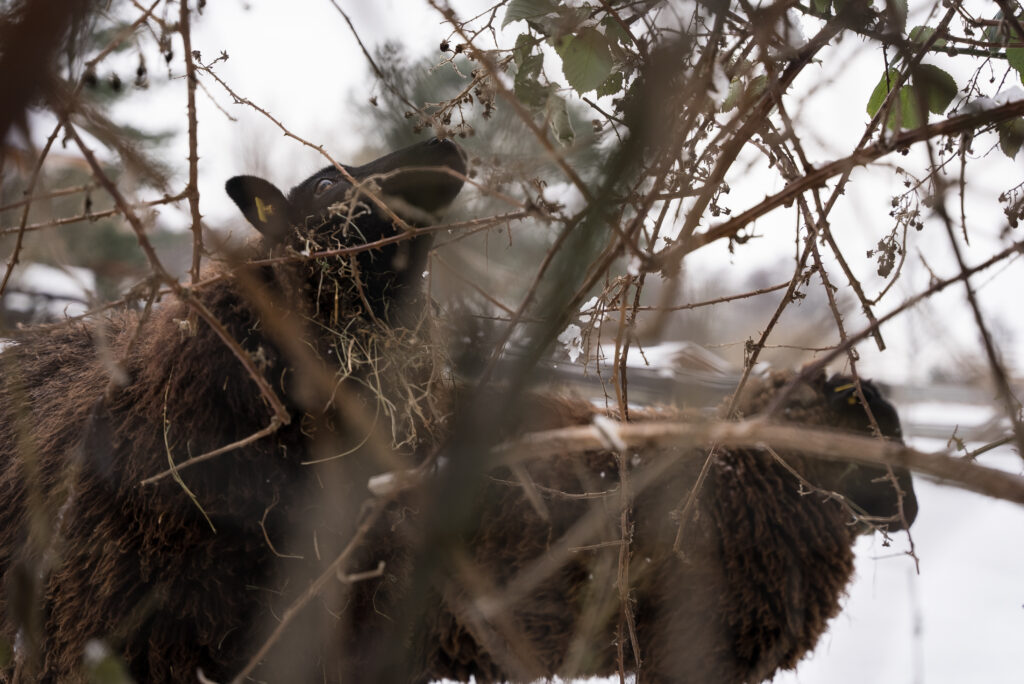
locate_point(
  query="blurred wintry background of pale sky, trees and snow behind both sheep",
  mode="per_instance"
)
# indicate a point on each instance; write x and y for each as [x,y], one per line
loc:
[300,67]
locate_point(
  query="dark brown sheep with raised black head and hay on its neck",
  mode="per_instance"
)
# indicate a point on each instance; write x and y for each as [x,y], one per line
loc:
[183,575]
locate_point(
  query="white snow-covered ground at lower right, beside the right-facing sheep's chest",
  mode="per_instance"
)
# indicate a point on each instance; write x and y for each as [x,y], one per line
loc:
[960,620]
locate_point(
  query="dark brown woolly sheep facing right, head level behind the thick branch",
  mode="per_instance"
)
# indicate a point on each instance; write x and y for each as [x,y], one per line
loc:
[765,563]
